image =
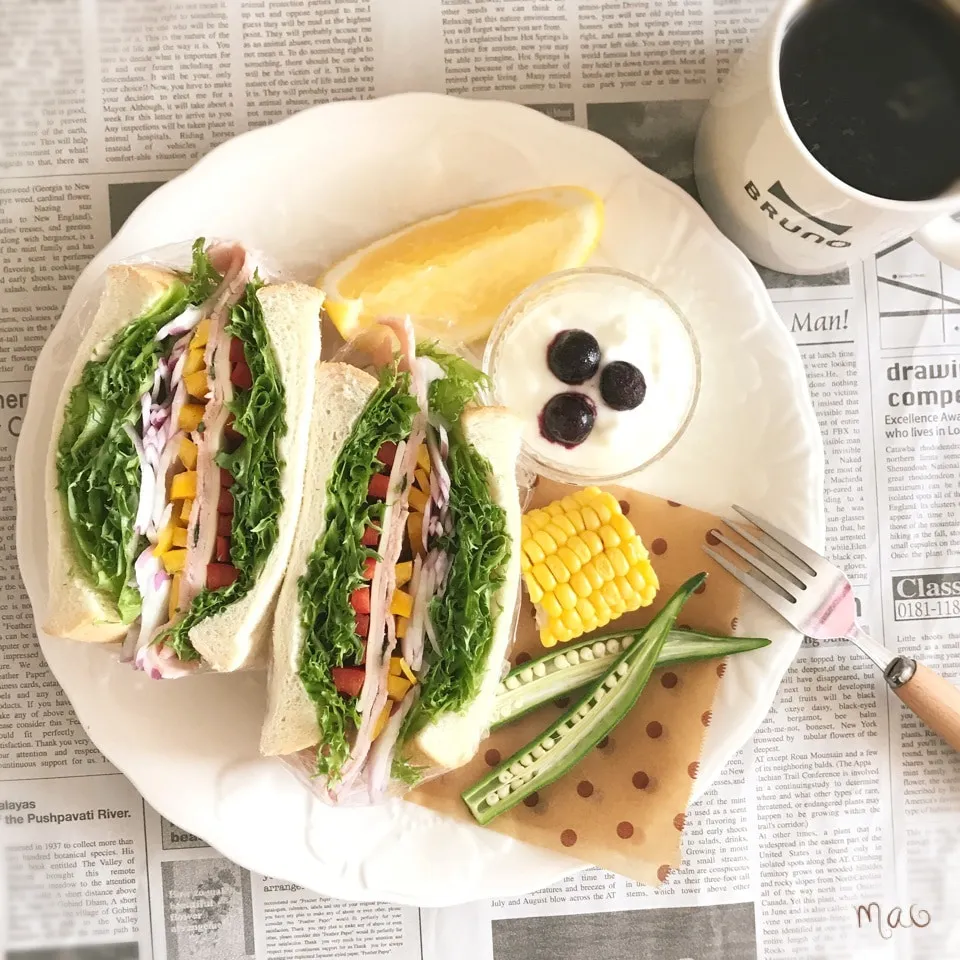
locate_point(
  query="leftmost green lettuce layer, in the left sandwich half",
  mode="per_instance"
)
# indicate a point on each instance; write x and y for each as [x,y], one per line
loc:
[98,473]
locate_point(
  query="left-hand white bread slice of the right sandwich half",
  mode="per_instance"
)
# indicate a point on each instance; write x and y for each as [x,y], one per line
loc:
[340,396]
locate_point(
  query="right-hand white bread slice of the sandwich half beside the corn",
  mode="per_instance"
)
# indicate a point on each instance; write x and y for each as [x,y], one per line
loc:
[452,739]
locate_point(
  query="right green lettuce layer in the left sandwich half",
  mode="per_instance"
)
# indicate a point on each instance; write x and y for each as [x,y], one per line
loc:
[260,414]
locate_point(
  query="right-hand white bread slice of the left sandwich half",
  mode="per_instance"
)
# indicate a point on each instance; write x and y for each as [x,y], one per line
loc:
[238,635]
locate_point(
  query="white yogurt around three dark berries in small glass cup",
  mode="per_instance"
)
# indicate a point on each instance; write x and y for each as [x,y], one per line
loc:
[630,322]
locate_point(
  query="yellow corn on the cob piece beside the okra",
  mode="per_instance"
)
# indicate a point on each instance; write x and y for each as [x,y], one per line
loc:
[584,565]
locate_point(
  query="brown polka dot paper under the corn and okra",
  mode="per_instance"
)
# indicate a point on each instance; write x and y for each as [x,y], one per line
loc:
[623,807]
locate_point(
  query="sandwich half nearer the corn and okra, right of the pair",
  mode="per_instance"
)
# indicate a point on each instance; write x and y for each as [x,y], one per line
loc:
[397,610]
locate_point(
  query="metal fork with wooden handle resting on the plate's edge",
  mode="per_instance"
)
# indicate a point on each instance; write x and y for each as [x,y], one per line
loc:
[816,598]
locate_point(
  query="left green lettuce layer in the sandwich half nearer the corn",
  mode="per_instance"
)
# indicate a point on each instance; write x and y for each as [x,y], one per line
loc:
[334,569]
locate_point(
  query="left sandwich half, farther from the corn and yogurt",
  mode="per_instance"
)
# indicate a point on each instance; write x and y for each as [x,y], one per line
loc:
[175,470]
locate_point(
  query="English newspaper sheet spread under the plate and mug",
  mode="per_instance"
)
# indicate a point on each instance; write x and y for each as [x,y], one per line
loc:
[840,800]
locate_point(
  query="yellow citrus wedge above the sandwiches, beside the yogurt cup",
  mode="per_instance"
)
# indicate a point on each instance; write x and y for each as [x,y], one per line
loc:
[456,272]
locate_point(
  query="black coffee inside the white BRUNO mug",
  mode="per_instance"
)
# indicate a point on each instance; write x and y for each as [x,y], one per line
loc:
[872,88]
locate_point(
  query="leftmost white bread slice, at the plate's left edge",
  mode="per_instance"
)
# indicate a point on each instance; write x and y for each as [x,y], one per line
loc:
[75,609]
